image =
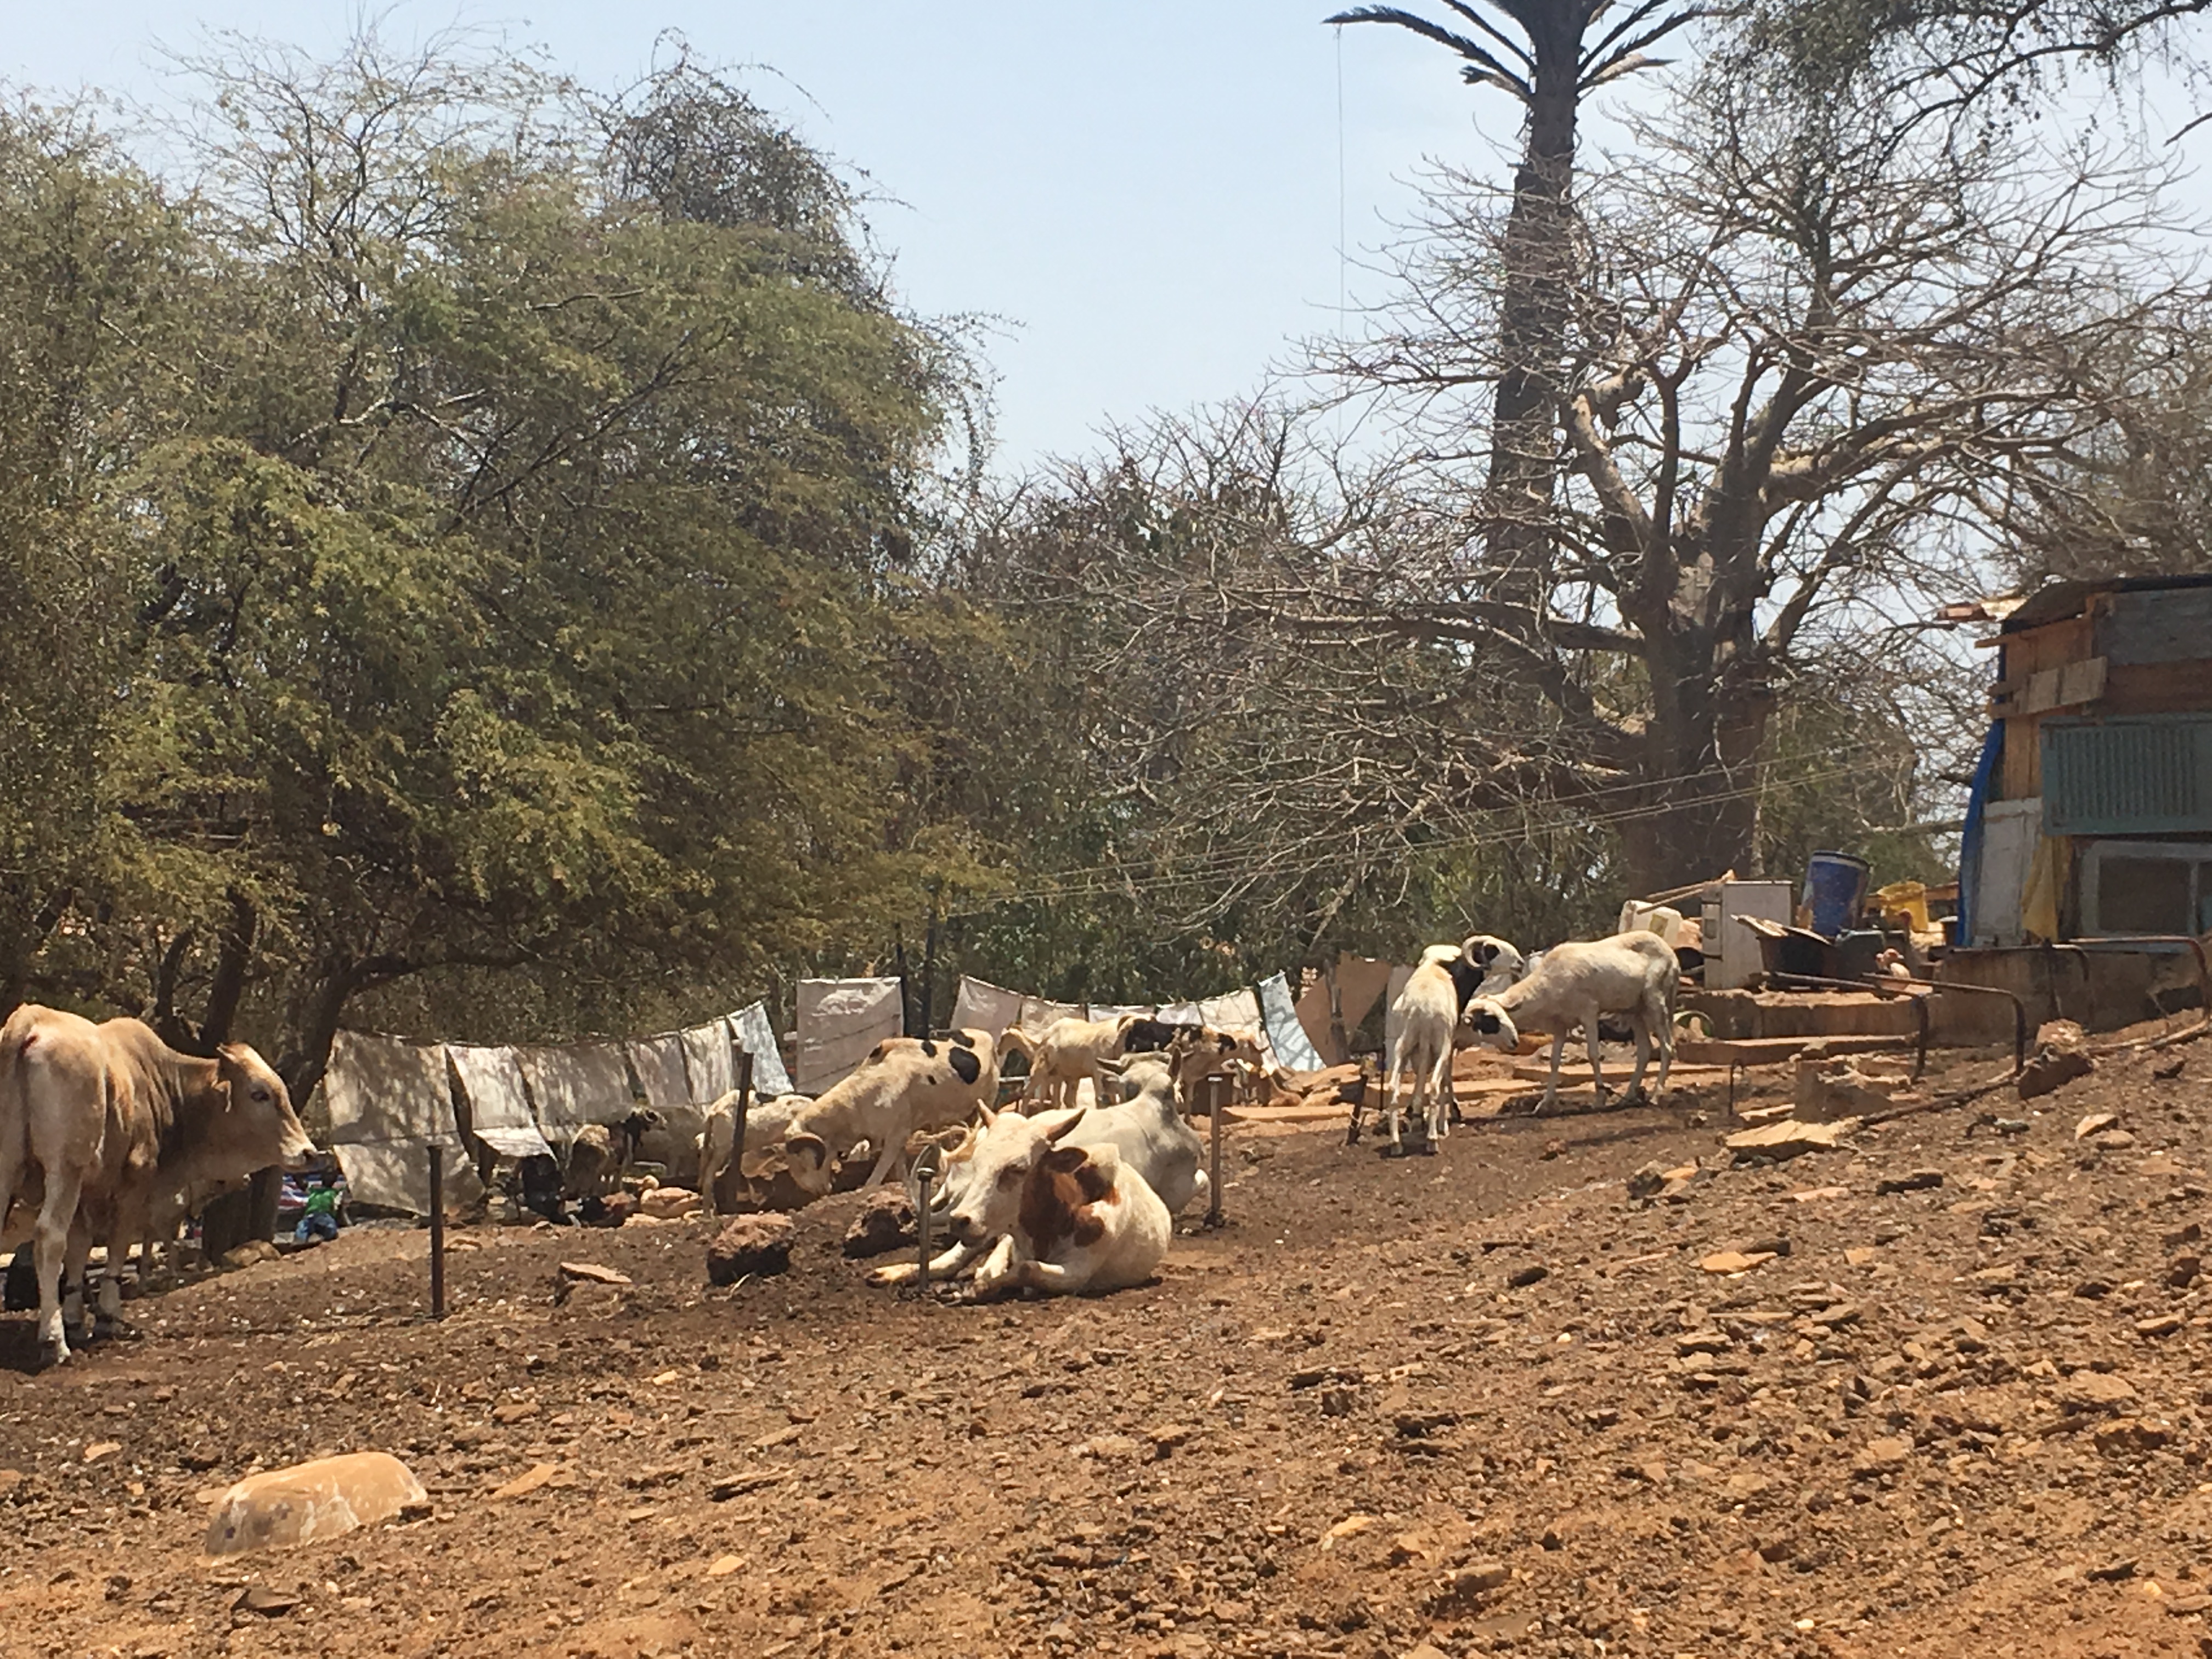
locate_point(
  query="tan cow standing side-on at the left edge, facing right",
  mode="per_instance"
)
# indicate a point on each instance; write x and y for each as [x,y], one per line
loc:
[107,1125]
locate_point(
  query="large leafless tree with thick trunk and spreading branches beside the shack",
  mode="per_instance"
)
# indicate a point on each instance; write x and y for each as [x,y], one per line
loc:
[1819,371]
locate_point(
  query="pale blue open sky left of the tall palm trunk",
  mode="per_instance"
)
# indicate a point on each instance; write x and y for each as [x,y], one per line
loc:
[1147,189]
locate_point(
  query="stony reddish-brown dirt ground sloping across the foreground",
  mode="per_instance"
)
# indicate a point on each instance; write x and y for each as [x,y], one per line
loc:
[1483,1401]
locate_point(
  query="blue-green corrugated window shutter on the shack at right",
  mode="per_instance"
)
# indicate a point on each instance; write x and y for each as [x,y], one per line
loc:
[2129,778]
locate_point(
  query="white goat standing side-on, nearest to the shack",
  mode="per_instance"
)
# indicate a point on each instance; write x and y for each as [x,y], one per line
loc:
[1631,974]
